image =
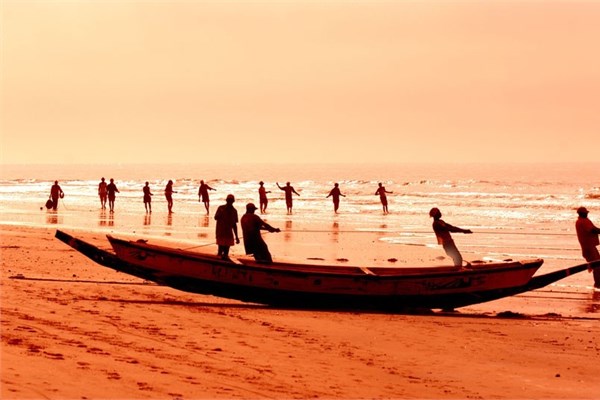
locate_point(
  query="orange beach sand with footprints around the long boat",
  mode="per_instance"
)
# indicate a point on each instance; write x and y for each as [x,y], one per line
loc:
[72,329]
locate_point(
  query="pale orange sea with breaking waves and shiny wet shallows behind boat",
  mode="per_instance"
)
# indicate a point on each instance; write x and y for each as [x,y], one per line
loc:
[515,210]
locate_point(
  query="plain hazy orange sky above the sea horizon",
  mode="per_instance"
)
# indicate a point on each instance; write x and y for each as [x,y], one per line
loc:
[120,81]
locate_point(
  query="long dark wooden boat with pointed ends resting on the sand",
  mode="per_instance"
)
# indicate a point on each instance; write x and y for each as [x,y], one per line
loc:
[320,286]
